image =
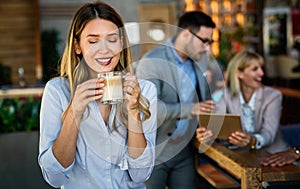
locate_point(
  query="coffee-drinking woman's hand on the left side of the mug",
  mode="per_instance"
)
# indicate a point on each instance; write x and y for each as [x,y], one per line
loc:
[86,92]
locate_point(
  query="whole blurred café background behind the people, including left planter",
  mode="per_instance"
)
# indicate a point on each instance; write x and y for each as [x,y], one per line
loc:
[33,36]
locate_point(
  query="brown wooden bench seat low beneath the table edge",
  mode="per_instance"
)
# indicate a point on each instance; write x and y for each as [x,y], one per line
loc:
[217,178]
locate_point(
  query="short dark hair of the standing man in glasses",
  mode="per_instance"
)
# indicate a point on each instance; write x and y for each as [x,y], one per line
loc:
[194,20]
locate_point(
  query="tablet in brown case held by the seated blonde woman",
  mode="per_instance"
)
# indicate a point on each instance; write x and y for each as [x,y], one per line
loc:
[222,125]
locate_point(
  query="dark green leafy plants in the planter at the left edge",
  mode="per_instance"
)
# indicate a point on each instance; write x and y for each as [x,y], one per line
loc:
[19,114]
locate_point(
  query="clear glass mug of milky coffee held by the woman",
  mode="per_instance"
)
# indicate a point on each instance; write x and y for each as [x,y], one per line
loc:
[113,88]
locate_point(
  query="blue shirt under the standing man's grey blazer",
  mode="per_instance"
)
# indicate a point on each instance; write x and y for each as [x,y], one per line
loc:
[188,80]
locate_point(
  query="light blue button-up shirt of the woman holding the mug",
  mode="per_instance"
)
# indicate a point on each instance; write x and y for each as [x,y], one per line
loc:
[102,159]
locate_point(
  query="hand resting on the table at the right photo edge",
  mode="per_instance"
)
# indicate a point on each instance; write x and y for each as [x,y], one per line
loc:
[280,158]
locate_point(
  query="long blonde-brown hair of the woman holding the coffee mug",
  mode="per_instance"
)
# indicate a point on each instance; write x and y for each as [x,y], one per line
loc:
[73,66]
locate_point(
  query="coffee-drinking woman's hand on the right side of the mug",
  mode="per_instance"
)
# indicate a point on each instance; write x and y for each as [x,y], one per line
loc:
[132,92]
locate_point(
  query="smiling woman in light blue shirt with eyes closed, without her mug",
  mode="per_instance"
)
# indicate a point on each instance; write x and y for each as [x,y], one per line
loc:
[86,144]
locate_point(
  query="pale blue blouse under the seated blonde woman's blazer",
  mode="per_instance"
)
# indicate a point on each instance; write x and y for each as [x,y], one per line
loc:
[248,111]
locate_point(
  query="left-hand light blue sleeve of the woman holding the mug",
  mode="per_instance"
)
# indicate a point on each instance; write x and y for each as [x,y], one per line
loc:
[50,126]
